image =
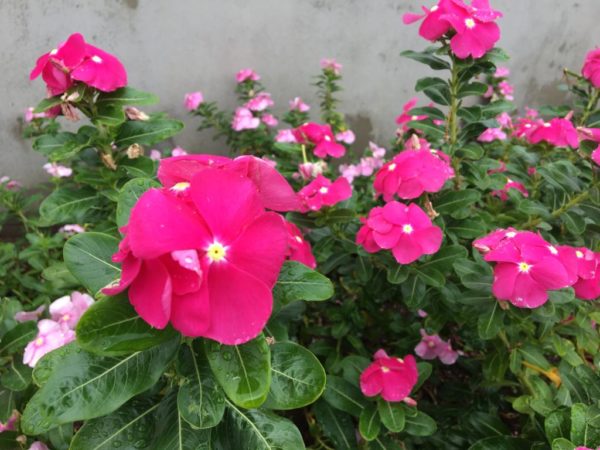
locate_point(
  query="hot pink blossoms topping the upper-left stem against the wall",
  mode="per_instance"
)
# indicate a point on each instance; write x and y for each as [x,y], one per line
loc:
[76,60]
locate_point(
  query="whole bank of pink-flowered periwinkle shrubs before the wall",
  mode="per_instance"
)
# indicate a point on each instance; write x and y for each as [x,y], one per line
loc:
[436,292]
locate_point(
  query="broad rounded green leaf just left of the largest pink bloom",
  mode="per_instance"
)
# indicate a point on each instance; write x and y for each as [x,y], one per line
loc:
[89,258]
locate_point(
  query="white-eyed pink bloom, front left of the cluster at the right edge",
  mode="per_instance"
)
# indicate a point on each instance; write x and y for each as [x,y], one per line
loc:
[527,267]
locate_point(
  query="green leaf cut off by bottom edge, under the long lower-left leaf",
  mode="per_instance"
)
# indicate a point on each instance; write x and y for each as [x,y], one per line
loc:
[128,428]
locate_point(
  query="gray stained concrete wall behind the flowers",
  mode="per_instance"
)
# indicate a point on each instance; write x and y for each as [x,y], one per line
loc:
[174,46]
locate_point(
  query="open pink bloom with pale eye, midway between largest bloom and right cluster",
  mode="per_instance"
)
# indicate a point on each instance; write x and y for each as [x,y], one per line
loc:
[405,230]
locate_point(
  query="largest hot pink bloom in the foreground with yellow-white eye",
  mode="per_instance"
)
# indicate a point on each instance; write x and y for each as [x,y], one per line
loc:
[204,259]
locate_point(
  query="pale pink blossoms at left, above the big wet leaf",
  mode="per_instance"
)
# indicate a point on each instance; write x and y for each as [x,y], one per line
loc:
[57,331]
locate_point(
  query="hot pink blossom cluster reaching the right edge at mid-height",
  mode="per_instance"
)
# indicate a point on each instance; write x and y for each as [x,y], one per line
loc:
[527,267]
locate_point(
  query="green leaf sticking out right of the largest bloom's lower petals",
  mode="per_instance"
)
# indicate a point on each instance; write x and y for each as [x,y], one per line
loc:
[298,282]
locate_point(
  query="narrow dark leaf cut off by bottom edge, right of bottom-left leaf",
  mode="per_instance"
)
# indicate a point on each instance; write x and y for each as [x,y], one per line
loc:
[174,433]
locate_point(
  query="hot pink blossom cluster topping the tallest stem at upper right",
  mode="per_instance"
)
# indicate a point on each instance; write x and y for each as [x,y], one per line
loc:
[474,27]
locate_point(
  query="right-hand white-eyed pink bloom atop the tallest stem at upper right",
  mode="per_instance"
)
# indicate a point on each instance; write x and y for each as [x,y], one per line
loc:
[476,31]
